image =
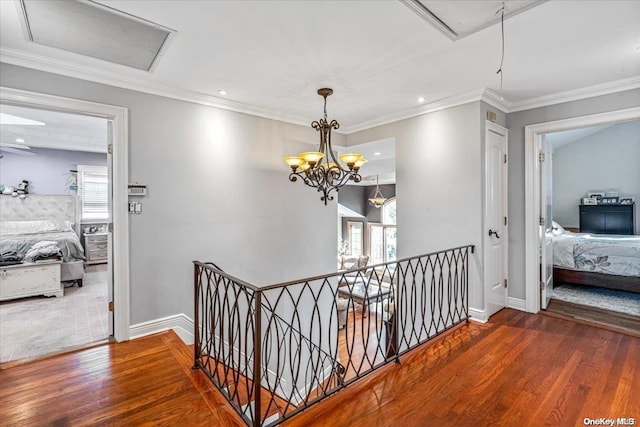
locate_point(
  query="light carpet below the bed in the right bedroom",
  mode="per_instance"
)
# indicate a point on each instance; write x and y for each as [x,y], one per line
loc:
[608,299]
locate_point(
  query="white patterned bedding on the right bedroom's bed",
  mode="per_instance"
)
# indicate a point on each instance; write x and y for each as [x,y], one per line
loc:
[619,255]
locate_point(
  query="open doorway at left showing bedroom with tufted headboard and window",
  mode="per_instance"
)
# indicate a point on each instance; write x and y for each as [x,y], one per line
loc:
[64,159]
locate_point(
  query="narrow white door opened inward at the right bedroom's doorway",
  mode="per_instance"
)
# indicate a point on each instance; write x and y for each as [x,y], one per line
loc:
[546,212]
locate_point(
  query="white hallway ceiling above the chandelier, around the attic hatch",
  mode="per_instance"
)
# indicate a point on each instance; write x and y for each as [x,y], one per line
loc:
[379,56]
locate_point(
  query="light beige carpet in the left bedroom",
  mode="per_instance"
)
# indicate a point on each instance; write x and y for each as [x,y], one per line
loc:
[37,326]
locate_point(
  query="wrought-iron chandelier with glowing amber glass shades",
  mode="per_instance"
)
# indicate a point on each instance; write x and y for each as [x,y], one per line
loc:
[320,169]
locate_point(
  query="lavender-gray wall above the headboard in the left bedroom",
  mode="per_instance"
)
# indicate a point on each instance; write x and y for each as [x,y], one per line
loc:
[48,170]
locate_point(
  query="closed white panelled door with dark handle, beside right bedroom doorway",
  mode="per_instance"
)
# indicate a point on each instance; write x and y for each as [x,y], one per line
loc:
[495,223]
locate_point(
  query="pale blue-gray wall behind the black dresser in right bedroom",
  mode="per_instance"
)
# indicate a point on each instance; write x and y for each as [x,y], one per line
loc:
[605,161]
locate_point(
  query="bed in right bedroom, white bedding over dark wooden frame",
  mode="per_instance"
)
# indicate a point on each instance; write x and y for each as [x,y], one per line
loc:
[607,261]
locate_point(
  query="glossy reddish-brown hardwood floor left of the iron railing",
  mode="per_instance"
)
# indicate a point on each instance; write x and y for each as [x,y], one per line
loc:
[144,381]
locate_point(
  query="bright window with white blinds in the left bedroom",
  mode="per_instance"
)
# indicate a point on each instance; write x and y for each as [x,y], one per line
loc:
[93,189]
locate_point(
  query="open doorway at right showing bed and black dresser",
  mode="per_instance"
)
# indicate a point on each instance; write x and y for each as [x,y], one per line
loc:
[575,235]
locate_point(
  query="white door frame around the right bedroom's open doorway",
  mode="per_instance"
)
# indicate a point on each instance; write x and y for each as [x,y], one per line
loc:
[532,134]
